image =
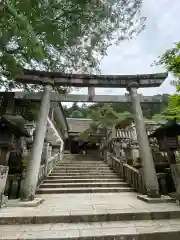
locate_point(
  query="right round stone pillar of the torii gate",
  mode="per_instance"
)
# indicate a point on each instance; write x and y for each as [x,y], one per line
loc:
[149,172]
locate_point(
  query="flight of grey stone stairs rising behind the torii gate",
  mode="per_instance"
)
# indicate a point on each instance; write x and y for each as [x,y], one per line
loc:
[83,177]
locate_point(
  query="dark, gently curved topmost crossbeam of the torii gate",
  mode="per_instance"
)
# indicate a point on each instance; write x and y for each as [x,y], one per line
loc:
[86,80]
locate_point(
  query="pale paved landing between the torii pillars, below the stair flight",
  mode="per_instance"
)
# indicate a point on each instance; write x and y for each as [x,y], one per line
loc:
[84,203]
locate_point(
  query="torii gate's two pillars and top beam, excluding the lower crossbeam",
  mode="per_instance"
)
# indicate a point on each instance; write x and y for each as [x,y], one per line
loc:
[53,79]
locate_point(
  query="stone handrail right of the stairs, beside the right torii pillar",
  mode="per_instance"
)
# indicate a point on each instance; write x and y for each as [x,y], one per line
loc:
[129,173]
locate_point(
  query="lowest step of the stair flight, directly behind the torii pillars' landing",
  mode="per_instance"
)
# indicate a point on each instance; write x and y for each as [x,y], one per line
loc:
[83,190]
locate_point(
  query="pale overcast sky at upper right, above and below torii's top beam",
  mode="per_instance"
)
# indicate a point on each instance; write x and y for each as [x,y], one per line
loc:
[137,55]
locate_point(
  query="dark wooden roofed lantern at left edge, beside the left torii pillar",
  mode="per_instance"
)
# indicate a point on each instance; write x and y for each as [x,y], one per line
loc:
[12,133]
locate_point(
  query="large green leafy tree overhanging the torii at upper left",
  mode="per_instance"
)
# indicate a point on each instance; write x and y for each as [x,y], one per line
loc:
[62,35]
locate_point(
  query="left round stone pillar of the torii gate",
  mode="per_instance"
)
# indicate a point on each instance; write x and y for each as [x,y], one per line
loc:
[30,182]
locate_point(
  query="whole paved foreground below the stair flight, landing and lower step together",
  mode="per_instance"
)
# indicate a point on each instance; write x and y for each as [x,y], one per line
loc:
[60,216]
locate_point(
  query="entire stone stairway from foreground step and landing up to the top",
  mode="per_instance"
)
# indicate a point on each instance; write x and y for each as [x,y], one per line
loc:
[86,200]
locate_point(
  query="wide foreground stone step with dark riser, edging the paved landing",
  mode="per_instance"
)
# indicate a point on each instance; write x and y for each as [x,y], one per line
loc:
[79,216]
